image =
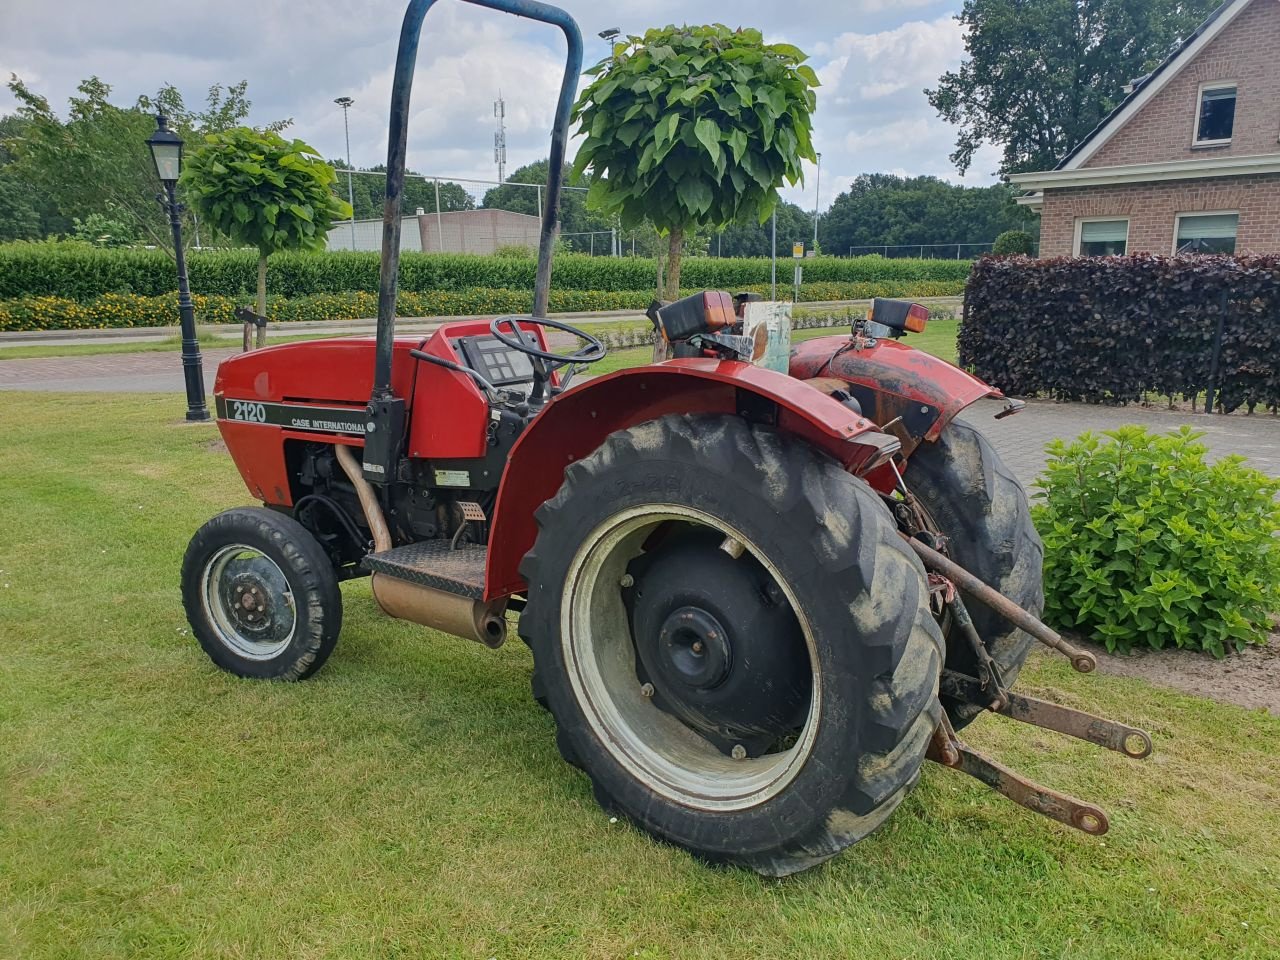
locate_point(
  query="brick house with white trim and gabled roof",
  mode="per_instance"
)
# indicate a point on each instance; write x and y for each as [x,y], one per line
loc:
[1188,162]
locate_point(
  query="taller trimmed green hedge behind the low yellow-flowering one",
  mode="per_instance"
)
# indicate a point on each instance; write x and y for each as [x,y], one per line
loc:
[81,273]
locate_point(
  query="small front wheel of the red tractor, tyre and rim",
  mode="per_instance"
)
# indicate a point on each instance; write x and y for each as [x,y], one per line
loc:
[262,596]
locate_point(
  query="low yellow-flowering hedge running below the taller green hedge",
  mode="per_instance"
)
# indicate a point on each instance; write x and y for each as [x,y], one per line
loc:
[130,310]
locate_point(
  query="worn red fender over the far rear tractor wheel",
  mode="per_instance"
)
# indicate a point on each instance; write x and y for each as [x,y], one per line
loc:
[892,380]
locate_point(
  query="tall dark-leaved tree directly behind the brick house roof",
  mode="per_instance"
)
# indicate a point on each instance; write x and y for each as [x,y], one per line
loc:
[1040,75]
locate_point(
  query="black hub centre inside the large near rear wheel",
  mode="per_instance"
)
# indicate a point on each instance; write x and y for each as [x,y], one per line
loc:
[719,643]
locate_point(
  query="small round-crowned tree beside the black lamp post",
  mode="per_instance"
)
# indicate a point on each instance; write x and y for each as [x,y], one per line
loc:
[266,193]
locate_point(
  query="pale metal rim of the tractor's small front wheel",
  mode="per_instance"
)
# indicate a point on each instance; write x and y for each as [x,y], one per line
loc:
[249,604]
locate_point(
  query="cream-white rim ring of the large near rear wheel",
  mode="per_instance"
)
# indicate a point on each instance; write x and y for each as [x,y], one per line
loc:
[656,748]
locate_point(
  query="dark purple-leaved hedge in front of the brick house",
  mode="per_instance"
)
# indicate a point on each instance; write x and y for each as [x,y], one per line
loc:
[1114,330]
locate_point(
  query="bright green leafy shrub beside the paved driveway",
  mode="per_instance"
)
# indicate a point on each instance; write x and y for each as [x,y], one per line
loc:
[1148,545]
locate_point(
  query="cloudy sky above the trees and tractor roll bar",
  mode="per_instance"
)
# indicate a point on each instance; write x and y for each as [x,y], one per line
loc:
[875,60]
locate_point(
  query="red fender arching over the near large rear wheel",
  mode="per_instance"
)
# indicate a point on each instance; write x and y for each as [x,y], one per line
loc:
[580,419]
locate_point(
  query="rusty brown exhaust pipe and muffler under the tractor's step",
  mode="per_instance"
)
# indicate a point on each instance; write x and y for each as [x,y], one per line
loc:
[459,616]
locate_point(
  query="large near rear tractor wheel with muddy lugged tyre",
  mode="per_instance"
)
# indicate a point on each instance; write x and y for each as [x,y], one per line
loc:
[734,641]
